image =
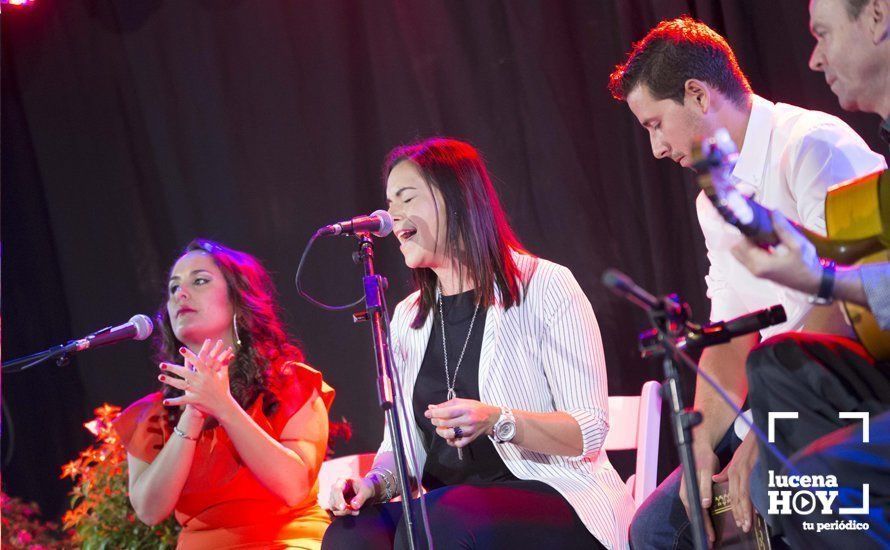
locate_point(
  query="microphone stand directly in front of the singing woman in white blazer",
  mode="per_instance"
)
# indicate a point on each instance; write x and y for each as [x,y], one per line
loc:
[376,312]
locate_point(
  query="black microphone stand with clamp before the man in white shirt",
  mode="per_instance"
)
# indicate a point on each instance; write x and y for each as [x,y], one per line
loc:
[669,321]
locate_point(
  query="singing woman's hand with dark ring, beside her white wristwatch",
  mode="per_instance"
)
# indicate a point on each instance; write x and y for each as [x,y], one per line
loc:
[461,421]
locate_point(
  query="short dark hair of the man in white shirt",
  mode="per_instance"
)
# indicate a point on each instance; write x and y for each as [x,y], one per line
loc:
[672,53]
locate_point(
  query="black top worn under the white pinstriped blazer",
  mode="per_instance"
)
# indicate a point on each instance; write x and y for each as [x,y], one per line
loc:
[481,462]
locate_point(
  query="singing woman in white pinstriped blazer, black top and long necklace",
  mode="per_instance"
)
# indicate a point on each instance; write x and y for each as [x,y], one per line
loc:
[501,366]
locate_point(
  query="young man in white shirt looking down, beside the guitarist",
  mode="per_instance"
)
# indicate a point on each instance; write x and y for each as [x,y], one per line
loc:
[682,82]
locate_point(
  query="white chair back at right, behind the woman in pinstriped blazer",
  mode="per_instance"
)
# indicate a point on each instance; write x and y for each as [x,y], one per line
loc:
[634,423]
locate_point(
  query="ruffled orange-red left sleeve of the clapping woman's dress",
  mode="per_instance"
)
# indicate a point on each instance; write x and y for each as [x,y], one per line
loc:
[141,427]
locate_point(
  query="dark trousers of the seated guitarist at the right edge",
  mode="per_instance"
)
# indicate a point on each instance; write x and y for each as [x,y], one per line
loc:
[819,376]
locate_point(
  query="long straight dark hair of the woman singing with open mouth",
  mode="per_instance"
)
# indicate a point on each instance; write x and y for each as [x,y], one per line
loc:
[477,236]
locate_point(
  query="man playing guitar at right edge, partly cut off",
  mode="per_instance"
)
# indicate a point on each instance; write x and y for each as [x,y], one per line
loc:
[819,376]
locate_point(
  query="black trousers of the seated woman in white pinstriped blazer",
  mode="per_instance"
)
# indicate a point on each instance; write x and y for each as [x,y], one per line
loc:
[504,515]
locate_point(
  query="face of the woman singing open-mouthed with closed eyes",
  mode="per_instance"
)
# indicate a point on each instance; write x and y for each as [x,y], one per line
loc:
[419,216]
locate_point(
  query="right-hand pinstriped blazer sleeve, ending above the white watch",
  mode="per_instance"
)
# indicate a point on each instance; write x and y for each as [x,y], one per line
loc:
[573,360]
